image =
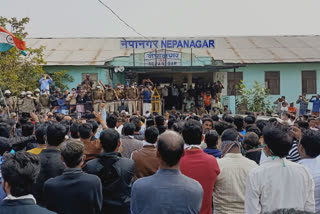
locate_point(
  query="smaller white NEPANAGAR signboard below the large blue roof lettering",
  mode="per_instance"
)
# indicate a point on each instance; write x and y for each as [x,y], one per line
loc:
[162,58]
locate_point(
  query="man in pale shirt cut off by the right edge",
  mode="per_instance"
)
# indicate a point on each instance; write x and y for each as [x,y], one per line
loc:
[309,150]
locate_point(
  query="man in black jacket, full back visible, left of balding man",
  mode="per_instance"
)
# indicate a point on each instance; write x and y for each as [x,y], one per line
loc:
[115,173]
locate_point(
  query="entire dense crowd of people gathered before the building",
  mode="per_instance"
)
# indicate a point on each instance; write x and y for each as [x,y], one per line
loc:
[104,161]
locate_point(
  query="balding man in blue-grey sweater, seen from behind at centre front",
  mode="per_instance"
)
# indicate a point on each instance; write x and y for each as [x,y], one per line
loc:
[167,191]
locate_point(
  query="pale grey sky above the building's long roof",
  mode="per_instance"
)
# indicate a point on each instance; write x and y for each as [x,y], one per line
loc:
[88,18]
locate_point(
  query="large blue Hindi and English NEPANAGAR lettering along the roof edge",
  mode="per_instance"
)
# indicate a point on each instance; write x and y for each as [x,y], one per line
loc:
[162,44]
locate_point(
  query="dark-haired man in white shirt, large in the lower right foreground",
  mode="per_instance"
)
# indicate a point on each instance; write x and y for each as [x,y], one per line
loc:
[278,183]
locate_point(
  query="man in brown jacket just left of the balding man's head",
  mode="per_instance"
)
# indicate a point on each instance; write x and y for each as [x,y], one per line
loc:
[146,161]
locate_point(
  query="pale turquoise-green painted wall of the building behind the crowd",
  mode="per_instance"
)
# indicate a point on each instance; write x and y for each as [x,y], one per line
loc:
[290,75]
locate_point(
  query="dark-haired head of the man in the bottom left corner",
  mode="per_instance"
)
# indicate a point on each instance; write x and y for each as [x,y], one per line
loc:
[20,171]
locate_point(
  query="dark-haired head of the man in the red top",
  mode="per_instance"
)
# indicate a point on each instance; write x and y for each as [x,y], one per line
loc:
[192,132]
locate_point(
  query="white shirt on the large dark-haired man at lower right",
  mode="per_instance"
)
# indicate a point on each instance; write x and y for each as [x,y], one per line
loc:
[279,184]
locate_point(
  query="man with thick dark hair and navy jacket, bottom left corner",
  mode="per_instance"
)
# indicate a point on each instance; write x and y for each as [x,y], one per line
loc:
[19,171]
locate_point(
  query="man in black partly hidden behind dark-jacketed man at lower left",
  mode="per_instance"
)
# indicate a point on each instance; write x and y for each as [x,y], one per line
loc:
[51,164]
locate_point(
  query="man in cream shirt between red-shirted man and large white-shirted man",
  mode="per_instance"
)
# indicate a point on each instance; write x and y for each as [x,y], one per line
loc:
[230,187]
